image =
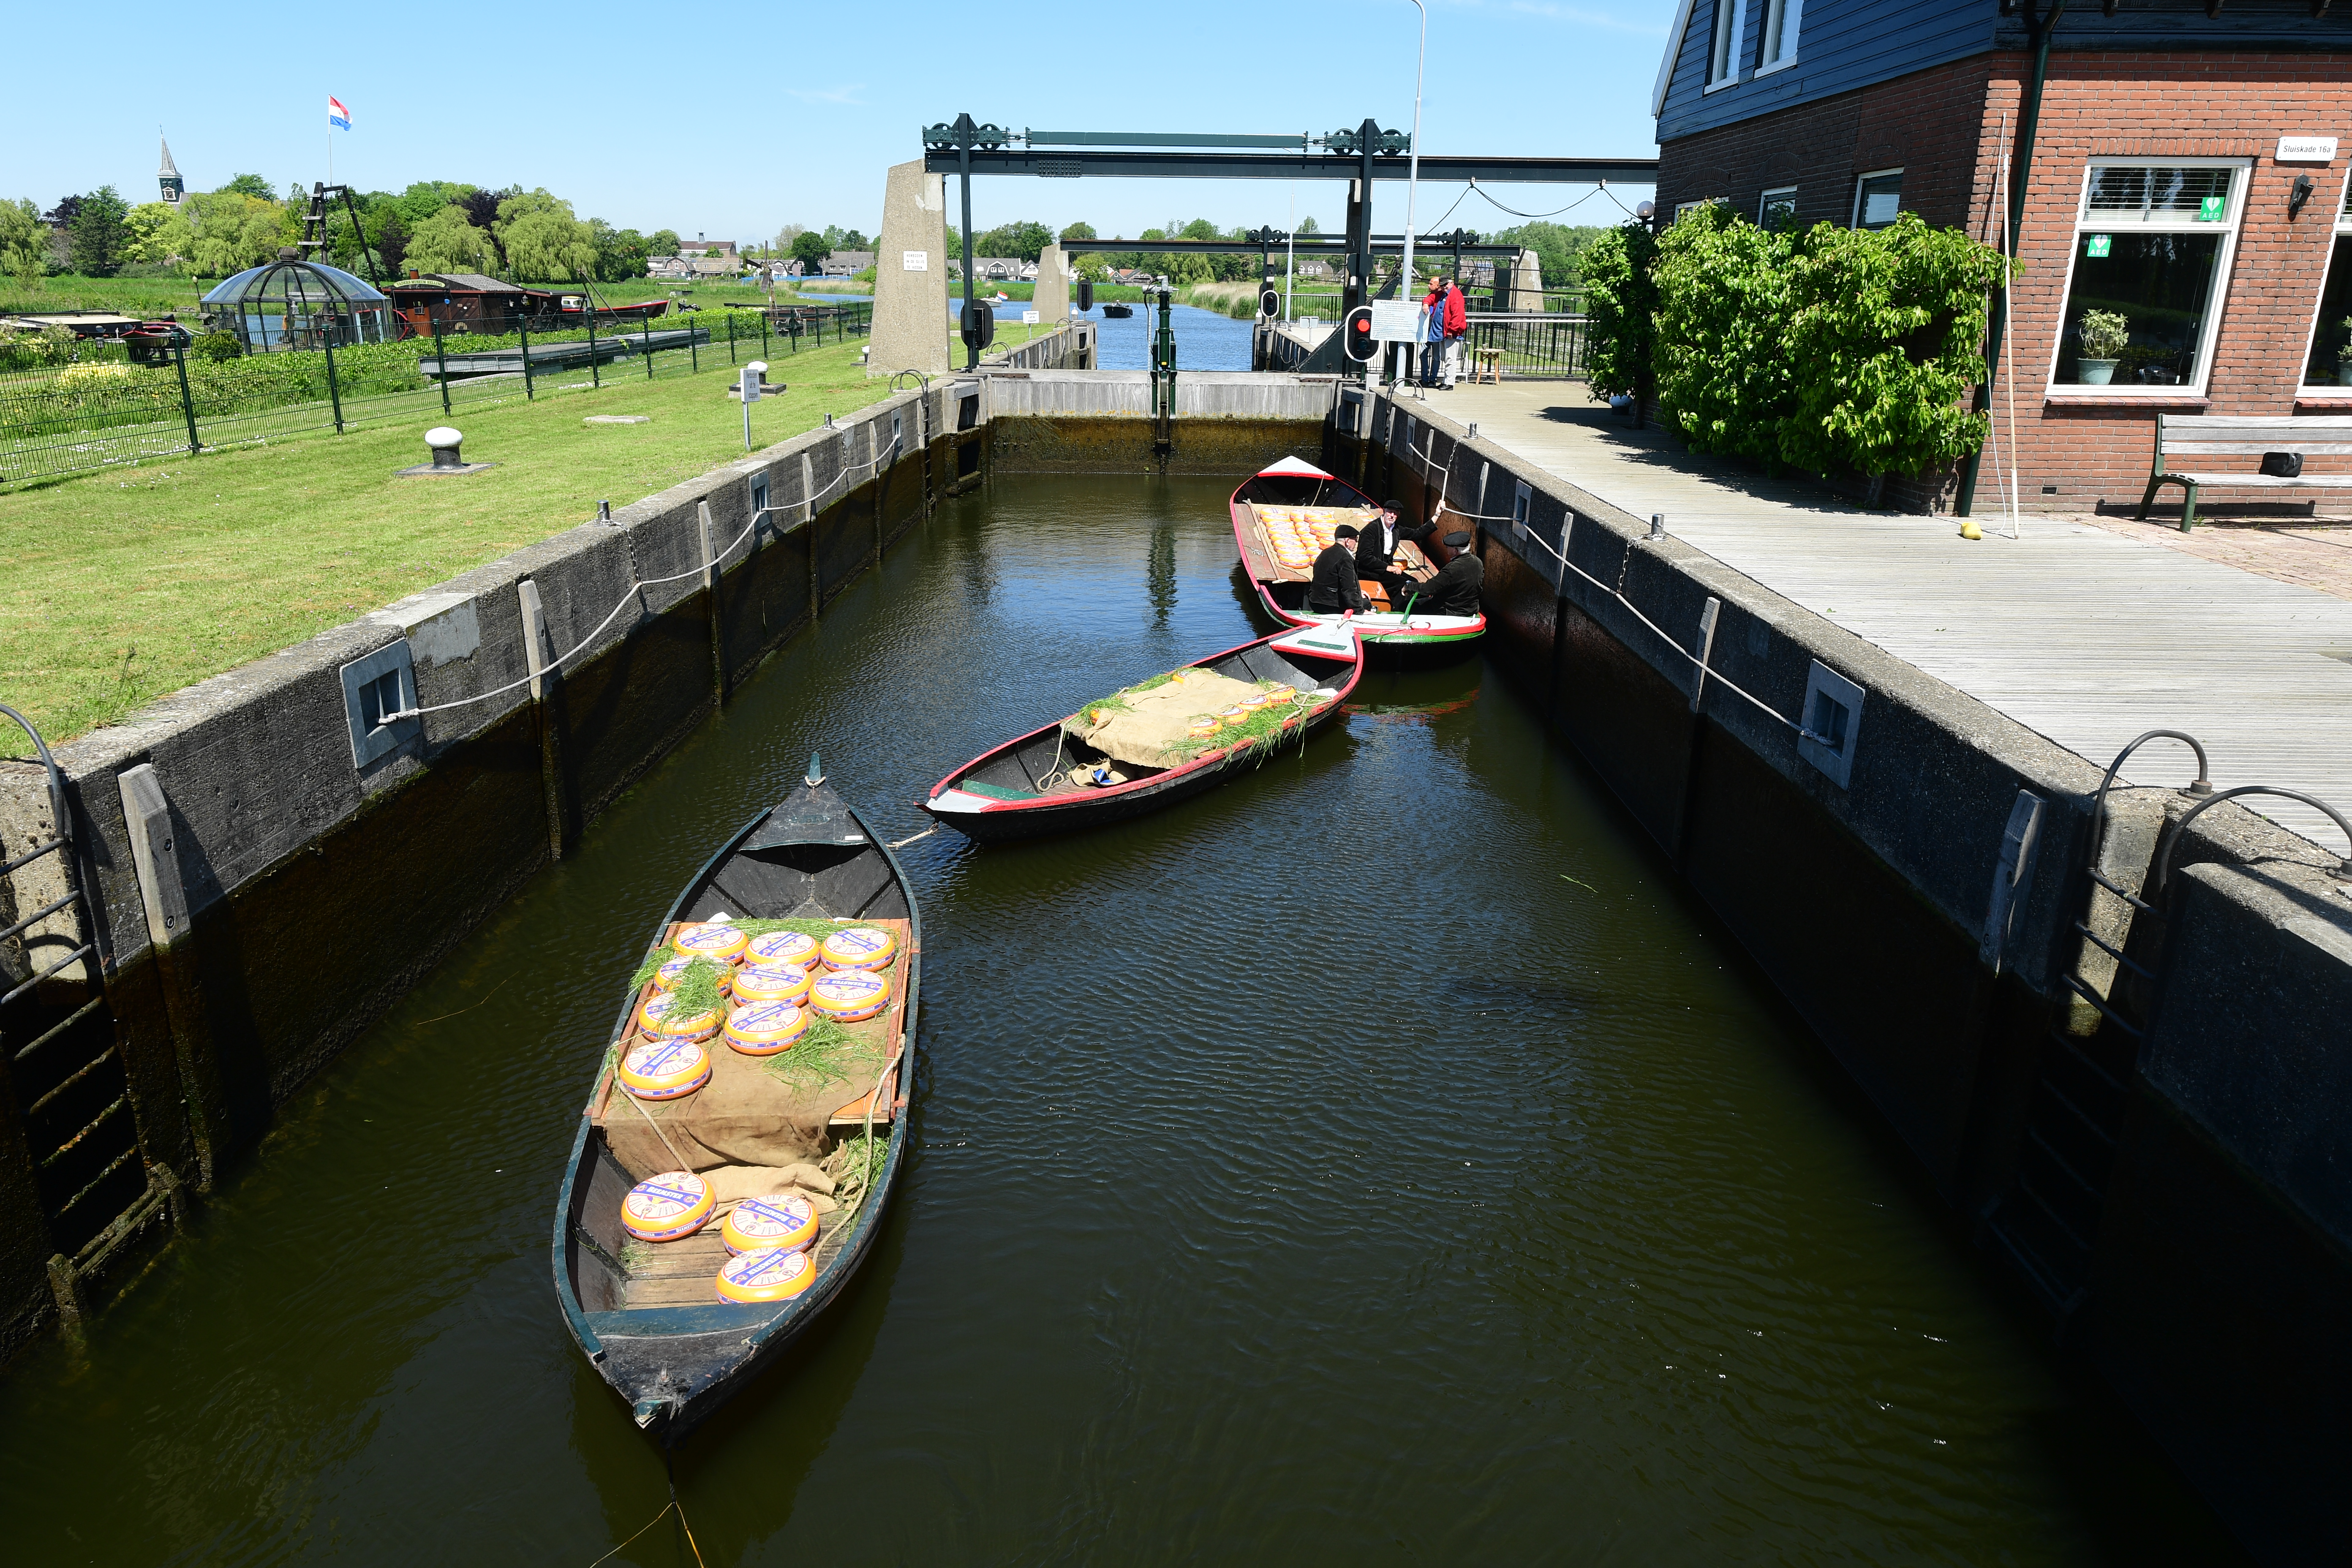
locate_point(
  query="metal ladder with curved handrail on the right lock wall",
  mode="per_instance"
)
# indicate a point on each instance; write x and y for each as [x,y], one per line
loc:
[2050,1219]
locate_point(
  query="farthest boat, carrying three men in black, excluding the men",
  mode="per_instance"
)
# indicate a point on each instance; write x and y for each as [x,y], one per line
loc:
[1295,495]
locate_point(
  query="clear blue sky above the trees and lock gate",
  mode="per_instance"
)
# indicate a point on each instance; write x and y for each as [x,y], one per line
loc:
[791,114]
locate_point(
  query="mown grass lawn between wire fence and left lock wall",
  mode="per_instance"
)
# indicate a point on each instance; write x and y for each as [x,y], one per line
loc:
[131,584]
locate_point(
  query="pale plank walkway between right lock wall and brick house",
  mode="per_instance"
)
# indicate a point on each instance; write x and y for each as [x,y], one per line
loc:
[2083,636]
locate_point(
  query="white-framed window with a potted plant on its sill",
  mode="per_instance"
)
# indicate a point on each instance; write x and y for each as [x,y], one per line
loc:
[2151,260]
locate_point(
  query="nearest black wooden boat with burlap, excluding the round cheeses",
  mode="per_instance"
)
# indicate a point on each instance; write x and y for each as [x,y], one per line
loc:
[650,1315]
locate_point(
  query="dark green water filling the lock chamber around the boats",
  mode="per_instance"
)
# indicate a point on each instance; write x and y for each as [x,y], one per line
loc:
[1377,1160]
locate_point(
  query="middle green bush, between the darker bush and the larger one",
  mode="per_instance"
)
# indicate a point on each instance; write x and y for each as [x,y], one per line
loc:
[1723,319]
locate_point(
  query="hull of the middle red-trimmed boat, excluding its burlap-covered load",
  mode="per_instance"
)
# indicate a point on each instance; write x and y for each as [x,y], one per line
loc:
[1038,784]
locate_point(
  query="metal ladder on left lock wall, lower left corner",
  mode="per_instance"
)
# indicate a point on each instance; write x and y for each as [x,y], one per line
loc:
[65,1076]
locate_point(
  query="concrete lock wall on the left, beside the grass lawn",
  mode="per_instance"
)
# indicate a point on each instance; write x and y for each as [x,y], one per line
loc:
[243,822]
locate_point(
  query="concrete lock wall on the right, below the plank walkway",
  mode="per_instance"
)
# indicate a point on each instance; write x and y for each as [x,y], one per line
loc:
[2224,1249]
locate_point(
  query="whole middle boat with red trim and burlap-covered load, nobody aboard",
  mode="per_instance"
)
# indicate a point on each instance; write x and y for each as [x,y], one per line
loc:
[1057,779]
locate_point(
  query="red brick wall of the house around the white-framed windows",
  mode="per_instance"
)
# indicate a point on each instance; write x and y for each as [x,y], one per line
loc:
[1946,128]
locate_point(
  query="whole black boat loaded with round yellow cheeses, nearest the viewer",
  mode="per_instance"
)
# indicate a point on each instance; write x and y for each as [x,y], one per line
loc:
[740,1148]
